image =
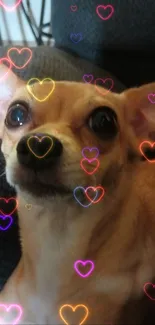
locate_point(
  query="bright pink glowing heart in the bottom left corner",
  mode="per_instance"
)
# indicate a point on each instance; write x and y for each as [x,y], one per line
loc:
[6,310]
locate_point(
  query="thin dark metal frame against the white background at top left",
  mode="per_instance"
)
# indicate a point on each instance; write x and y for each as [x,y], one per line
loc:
[37,31]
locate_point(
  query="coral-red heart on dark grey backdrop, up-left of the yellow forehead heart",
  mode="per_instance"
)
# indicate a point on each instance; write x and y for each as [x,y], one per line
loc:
[20,52]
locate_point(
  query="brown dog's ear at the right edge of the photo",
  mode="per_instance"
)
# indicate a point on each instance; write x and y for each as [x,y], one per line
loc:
[140,109]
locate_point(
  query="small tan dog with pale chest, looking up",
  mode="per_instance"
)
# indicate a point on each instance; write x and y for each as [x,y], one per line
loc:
[117,234]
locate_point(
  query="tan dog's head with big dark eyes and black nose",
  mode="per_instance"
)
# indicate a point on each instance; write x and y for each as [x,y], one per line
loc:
[42,140]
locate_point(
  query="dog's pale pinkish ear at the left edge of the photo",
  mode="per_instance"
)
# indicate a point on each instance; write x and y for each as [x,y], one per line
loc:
[9,82]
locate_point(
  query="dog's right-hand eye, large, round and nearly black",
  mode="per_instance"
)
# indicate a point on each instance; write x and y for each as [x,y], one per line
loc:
[103,121]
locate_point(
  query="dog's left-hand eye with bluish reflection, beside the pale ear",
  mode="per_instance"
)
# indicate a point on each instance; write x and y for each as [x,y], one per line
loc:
[18,115]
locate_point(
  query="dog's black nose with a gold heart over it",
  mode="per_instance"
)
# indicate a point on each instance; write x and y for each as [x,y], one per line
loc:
[39,150]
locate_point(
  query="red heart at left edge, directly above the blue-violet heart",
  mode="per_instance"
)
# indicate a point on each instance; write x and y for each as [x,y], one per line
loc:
[8,206]
